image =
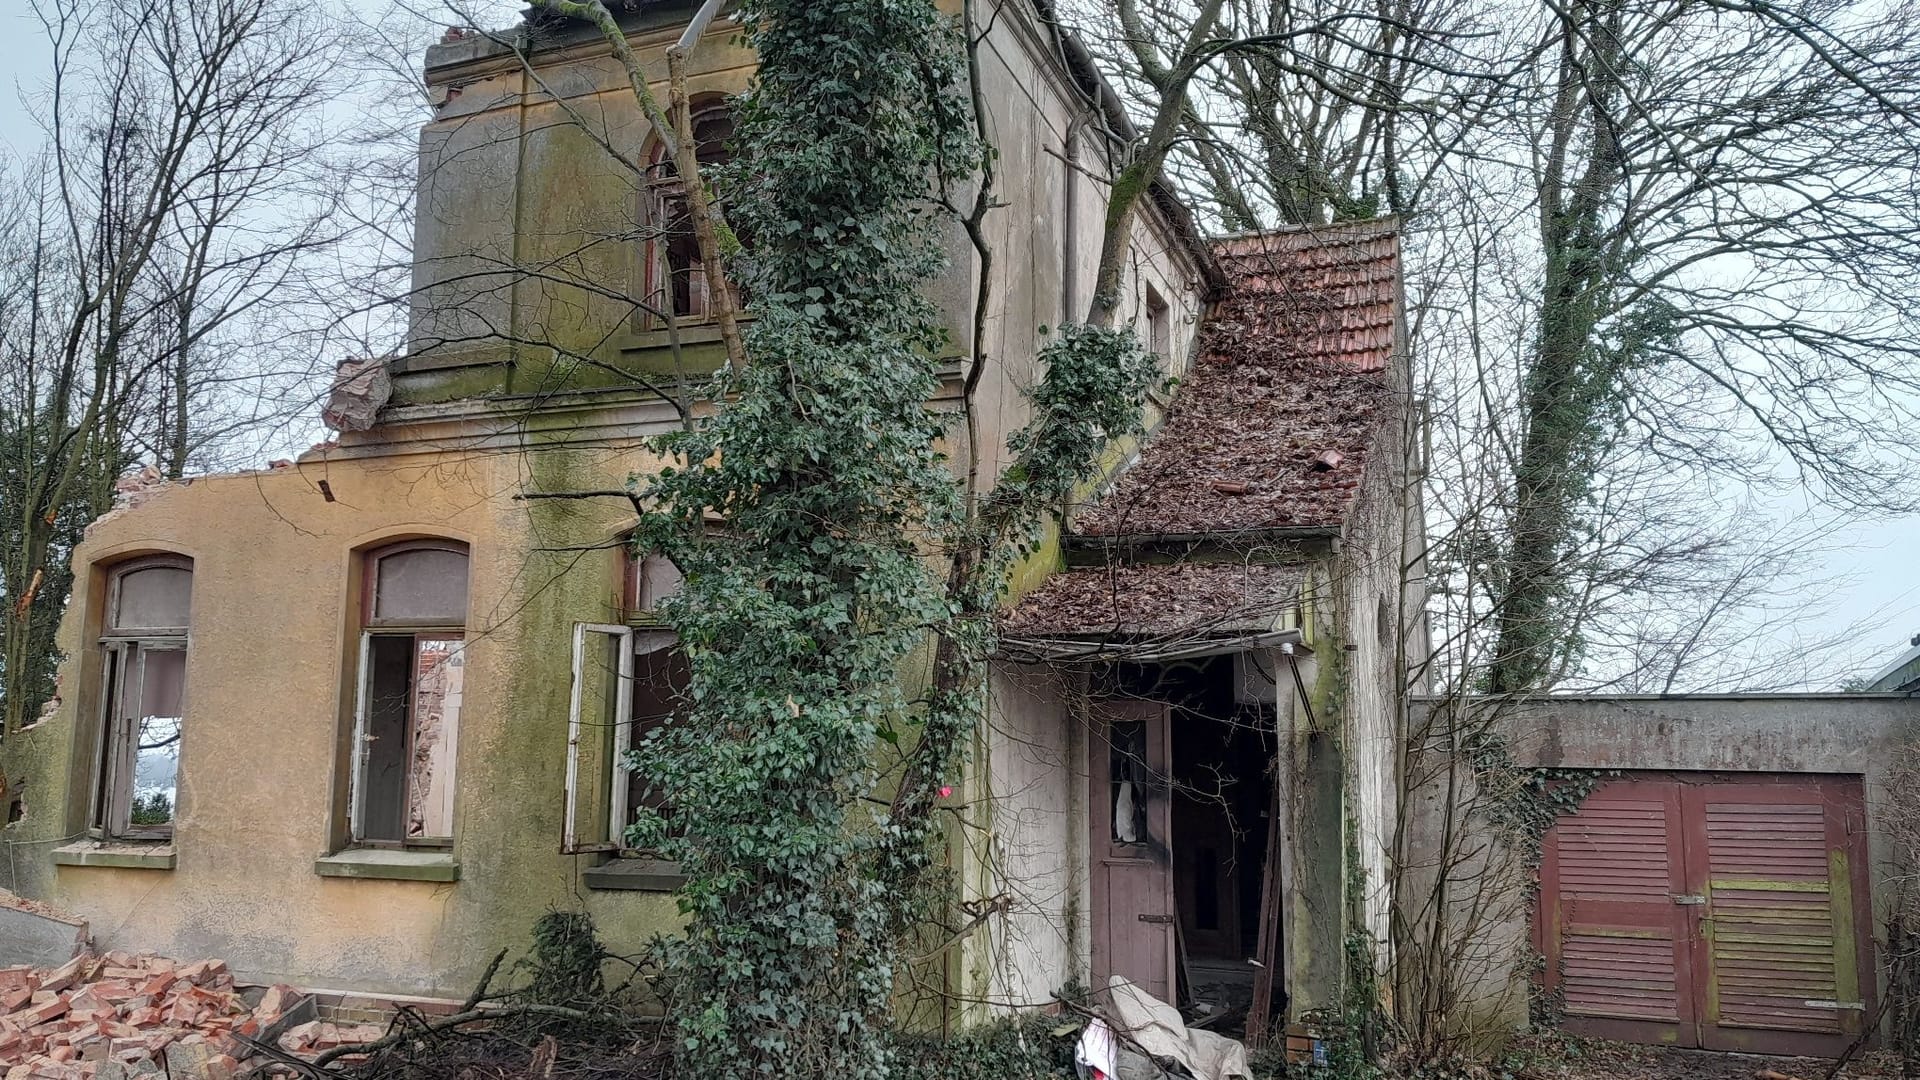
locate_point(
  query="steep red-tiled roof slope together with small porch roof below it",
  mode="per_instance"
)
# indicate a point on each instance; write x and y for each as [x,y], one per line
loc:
[1270,435]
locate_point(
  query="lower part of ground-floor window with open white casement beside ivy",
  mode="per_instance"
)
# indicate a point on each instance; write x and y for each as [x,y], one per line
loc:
[627,681]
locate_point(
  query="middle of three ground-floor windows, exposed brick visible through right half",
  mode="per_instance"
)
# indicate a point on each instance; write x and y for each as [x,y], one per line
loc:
[412,683]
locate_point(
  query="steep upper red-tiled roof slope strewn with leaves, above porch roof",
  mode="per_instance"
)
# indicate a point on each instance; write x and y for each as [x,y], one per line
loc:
[1293,366]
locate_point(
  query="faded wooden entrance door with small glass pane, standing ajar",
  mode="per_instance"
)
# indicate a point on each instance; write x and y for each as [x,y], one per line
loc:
[1132,829]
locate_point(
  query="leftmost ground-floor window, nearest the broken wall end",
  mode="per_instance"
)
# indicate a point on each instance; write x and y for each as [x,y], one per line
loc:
[145,699]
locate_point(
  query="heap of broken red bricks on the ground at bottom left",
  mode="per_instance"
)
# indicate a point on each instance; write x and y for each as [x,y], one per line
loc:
[122,1018]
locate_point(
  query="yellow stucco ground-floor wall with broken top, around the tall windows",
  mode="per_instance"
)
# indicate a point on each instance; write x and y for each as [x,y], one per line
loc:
[270,700]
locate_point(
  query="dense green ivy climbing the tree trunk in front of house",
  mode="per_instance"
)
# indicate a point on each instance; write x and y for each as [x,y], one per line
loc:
[827,549]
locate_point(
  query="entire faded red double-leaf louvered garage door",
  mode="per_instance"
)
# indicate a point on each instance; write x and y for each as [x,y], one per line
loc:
[1723,912]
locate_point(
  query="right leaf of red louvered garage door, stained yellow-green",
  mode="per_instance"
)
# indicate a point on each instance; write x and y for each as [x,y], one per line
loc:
[1779,950]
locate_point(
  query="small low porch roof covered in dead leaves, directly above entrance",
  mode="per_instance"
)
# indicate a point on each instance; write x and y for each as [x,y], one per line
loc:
[1157,601]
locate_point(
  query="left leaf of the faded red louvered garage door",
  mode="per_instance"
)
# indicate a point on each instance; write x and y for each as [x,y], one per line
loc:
[1616,941]
